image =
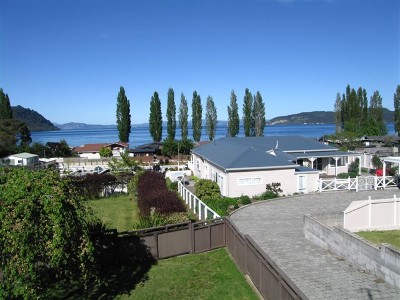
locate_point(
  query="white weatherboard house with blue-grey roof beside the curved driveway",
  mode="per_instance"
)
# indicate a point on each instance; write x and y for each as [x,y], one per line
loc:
[244,165]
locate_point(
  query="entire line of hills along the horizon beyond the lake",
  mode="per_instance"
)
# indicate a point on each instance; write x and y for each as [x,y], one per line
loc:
[36,122]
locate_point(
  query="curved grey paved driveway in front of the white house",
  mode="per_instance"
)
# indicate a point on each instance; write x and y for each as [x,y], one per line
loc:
[277,227]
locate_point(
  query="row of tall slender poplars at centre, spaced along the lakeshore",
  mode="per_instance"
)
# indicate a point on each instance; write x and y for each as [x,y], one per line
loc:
[253,116]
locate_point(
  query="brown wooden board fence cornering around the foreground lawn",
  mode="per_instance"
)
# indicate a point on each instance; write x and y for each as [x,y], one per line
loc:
[184,238]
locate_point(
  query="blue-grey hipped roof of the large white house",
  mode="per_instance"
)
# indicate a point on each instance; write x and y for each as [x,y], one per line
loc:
[252,152]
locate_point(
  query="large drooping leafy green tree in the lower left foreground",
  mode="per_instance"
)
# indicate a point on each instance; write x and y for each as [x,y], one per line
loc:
[44,234]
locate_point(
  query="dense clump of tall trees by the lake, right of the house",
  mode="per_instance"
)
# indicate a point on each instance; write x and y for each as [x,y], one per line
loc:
[354,115]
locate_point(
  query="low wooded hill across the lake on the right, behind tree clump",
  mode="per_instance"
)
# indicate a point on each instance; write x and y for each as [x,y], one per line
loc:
[318,117]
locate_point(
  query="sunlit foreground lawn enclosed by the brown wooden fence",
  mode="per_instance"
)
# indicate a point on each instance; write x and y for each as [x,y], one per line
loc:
[211,275]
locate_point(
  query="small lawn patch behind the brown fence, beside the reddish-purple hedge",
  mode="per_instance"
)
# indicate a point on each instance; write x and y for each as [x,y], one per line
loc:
[117,212]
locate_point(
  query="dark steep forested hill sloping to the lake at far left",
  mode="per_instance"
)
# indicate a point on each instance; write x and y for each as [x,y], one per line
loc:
[34,120]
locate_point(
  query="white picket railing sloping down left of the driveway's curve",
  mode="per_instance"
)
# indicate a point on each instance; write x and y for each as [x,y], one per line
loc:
[195,204]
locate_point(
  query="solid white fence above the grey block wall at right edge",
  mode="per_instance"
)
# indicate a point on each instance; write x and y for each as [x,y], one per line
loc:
[381,214]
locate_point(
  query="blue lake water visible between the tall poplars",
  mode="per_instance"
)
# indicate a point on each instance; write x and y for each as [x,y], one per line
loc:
[140,133]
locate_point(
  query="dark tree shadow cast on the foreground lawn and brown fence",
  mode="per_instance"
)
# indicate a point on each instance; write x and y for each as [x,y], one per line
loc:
[122,263]
